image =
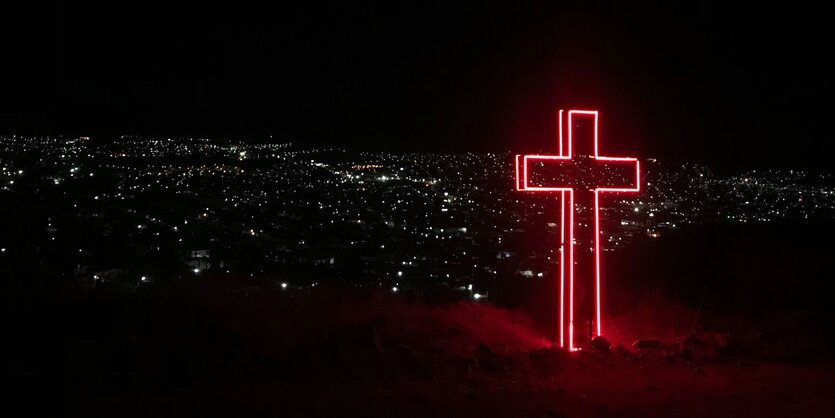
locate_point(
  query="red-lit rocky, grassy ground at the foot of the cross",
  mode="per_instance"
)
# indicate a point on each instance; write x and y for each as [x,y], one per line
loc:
[247,352]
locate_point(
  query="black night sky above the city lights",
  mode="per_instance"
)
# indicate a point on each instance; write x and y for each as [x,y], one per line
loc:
[736,87]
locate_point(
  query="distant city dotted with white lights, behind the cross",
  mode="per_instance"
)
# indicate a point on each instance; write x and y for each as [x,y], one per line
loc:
[141,208]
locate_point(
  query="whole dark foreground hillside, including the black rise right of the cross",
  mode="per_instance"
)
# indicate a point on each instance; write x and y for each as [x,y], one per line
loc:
[220,347]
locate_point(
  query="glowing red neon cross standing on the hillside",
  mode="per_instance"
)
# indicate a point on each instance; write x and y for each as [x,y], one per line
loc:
[589,193]
